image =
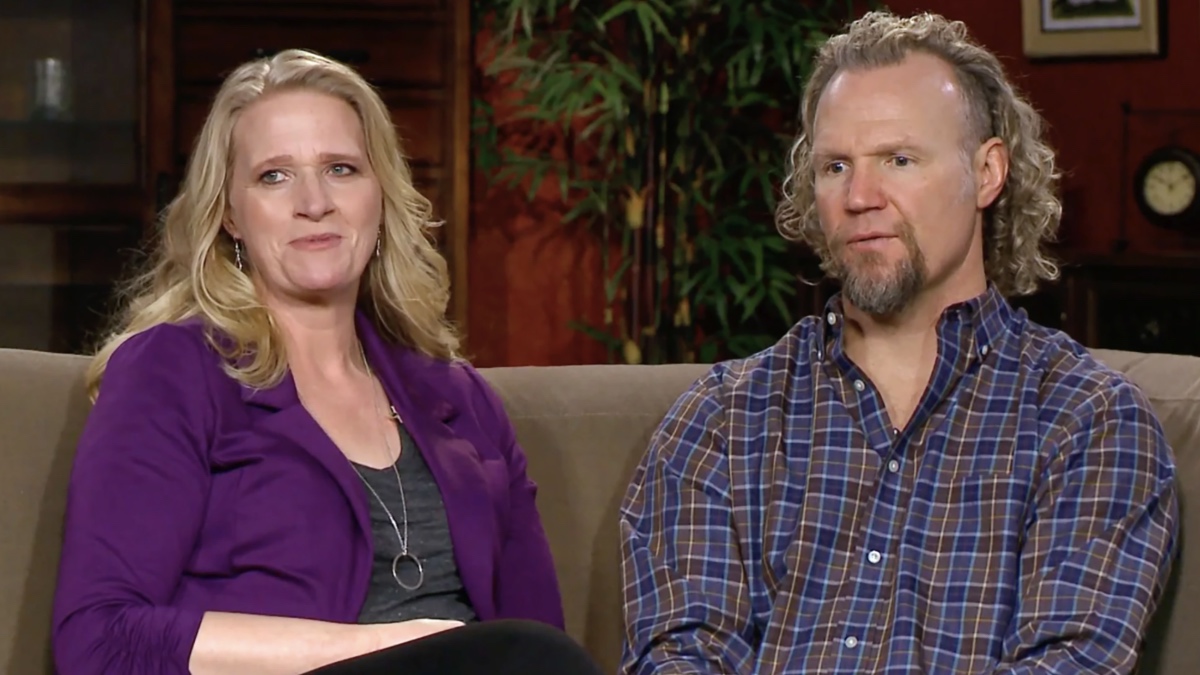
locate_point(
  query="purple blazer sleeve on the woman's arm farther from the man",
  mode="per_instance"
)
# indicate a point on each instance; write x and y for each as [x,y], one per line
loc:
[136,500]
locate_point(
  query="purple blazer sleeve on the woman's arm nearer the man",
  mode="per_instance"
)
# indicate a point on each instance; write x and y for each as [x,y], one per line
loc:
[526,582]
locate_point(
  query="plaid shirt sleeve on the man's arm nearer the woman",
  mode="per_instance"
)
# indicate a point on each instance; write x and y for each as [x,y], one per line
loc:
[687,600]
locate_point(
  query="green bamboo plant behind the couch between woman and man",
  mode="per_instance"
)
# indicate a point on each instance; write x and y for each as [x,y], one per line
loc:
[675,120]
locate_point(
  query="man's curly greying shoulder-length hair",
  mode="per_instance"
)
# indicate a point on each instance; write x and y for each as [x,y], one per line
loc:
[1023,219]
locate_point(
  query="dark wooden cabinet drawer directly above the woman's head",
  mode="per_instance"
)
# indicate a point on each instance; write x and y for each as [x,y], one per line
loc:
[410,52]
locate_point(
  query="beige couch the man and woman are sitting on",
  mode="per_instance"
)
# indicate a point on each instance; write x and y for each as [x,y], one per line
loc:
[584,428]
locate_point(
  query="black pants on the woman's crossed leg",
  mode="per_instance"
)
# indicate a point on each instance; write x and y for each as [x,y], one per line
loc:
[493,648]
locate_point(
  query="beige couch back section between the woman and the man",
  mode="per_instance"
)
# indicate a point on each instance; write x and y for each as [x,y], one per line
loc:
[584,429]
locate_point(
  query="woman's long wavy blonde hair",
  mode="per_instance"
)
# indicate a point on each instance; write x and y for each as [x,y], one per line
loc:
[191,271]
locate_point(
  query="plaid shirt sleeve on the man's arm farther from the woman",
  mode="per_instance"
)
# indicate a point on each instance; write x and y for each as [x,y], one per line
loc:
[1101,542]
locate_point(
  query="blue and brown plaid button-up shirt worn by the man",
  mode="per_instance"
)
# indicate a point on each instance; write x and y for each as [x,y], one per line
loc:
[1023,522]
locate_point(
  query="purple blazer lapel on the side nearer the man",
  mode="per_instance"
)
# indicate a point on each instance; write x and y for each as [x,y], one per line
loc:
[411,384]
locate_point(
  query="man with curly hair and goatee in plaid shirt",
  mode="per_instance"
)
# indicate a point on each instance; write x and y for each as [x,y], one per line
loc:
[920,481]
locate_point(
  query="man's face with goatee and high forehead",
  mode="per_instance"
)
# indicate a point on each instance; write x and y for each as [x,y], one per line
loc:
[896,190]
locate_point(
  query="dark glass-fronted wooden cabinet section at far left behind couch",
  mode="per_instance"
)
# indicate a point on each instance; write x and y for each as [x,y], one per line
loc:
[74,180]
